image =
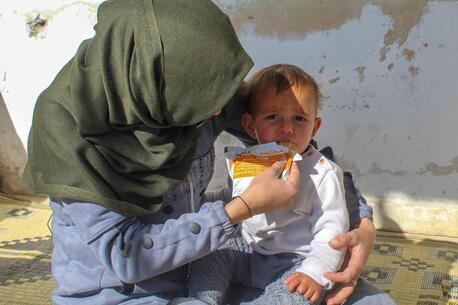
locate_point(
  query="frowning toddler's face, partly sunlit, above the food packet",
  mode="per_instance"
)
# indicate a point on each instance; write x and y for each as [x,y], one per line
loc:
[289,116]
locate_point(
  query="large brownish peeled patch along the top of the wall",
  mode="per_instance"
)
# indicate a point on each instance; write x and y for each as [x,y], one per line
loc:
[291,19]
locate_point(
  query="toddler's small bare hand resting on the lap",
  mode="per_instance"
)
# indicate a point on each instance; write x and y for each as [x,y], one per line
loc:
[303,285]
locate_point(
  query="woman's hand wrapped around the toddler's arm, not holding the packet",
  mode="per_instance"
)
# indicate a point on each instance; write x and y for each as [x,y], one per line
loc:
[359,243]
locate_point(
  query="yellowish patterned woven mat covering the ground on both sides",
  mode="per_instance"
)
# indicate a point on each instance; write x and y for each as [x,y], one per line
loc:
[414,270]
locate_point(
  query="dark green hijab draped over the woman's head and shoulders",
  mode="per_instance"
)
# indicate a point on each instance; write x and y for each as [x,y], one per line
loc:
[117,126]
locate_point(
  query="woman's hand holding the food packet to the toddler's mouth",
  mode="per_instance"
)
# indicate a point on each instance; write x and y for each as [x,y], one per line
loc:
[266,192]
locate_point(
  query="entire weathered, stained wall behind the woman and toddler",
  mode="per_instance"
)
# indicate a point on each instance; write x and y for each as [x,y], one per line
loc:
[388,70]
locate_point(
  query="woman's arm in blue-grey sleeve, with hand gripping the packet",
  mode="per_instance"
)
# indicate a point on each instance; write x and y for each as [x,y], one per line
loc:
[135,251]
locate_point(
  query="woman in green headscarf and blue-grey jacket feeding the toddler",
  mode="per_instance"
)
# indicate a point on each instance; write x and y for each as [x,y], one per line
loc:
[122,142]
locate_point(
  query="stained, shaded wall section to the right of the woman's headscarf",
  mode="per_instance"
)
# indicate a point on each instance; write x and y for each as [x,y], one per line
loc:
[389,72]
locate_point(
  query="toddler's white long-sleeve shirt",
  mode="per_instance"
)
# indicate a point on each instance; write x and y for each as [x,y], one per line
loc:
[317,215]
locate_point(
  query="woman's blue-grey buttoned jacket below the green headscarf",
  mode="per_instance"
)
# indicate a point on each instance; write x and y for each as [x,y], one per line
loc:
[101,257]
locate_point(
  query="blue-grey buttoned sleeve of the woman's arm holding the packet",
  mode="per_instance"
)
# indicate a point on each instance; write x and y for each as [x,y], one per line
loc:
[135,251]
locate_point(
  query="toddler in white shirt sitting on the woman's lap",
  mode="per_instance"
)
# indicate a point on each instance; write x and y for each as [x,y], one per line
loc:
[284,252]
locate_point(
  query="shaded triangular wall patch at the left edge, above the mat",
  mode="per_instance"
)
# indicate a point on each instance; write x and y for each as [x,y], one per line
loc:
[12,155]
